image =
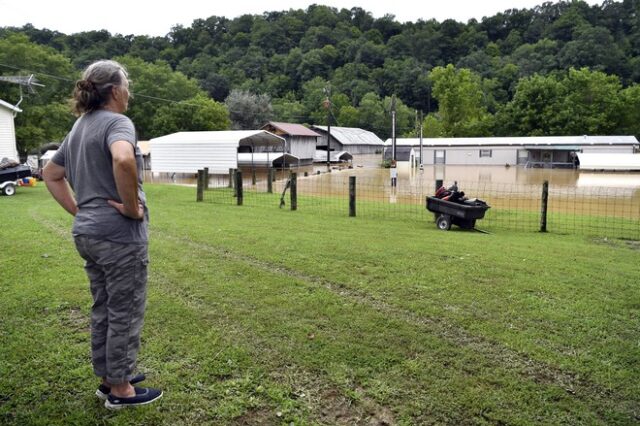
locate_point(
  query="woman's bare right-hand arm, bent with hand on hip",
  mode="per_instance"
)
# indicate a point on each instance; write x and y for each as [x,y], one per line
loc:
[125,173]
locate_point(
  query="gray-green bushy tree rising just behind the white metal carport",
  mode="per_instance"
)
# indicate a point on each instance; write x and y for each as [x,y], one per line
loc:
[248,111]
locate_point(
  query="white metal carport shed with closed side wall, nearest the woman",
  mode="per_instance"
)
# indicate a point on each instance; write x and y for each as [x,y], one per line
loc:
[187,152]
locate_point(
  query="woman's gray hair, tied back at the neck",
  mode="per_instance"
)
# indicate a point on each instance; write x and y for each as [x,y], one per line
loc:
[94,90]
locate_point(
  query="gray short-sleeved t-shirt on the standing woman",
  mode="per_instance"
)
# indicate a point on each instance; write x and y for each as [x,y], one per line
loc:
[88,164]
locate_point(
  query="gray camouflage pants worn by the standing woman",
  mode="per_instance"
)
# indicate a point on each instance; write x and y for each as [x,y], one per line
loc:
[118,276]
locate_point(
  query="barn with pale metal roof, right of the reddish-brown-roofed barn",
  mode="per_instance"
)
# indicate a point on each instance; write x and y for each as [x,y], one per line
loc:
[351,139]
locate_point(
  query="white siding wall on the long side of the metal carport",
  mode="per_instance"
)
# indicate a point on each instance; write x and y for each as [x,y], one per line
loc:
[189,156]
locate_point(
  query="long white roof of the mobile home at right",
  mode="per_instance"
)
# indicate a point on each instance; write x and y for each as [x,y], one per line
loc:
[537,141]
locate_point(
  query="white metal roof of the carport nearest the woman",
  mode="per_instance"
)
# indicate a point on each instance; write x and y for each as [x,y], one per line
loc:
[240,137]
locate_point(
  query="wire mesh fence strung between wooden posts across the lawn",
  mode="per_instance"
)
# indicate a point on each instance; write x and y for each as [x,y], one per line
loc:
[594,211]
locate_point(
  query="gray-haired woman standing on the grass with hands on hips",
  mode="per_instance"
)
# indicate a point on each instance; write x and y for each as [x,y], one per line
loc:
[96,176]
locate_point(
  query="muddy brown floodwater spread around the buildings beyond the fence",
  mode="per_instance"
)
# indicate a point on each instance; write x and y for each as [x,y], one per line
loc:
[596,193]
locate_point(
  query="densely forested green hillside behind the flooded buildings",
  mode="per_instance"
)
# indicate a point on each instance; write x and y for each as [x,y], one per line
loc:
[557,69]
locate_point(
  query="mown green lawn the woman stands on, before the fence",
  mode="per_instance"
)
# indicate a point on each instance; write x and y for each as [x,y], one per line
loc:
[260,315]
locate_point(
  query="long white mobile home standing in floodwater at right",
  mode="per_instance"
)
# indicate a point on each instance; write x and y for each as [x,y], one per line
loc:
[544,151]
